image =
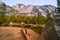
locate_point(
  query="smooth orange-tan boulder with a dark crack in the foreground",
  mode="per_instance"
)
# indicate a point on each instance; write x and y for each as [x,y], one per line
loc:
[14,33]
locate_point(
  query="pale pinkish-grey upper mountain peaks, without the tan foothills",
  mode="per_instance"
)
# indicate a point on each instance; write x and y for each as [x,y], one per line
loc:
[34,9]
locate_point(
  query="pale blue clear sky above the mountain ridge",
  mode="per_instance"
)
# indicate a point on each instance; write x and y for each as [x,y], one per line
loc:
[33,2]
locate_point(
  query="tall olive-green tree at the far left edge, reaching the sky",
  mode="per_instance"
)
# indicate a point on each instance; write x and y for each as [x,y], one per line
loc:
[2,12]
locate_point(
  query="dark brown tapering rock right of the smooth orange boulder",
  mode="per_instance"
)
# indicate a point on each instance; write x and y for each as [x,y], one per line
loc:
[50,32]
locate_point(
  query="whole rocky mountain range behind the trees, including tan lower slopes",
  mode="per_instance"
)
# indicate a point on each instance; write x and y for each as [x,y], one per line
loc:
[30,10]
